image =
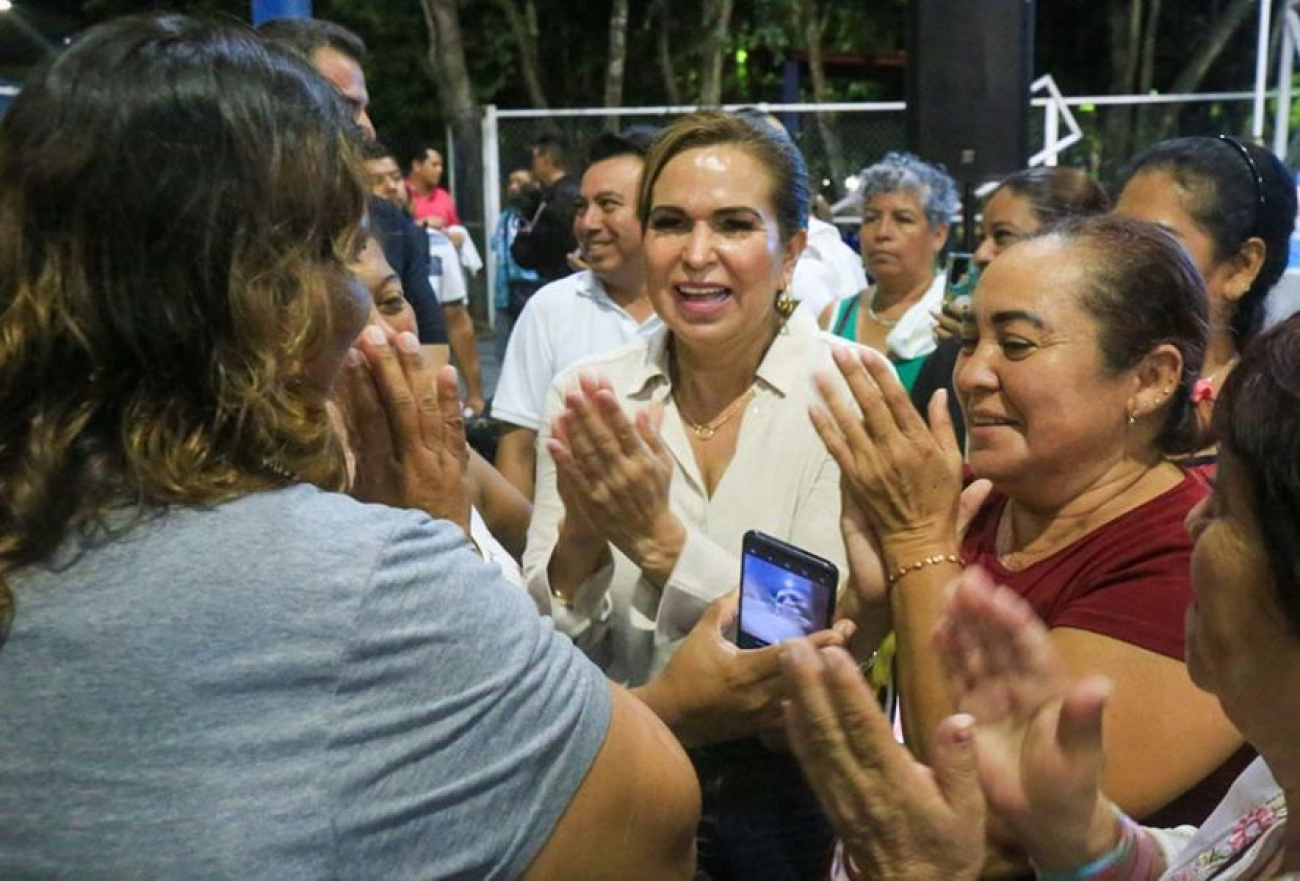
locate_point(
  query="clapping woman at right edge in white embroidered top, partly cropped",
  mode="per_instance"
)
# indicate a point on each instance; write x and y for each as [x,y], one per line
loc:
[1038,726]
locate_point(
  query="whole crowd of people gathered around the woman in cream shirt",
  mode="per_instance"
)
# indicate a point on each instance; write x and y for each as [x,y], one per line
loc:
[265,613]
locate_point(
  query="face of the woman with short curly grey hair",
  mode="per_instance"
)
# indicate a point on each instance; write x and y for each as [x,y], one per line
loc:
[899,245]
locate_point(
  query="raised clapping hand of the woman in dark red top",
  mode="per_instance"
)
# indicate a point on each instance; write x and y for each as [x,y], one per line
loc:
[904,476]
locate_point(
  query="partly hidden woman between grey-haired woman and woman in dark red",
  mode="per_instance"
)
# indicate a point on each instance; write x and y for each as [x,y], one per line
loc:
[1020,206]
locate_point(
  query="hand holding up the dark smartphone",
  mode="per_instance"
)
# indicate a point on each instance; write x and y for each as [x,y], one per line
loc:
[714,692]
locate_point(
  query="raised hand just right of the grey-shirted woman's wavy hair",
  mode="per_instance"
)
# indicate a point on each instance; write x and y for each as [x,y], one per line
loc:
[406,428]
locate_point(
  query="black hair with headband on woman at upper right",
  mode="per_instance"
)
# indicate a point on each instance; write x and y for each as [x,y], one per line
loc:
[1236,192]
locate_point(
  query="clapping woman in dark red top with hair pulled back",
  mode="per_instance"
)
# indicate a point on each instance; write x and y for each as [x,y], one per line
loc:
[1077,368]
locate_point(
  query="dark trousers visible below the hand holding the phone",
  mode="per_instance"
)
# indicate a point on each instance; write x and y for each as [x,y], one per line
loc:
[761,821]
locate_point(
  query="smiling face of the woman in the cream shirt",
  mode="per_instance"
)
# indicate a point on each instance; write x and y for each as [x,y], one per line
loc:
[713,250]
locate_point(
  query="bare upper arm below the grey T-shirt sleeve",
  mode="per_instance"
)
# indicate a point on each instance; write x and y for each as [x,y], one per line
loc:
[635,814]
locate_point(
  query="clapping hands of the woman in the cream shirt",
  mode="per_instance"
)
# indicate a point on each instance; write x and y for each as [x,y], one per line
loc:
[613,475]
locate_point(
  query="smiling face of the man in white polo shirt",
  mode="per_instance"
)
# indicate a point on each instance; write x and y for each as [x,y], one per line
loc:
[606,224]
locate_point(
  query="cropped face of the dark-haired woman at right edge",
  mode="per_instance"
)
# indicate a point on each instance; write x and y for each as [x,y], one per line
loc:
[1238,643]
